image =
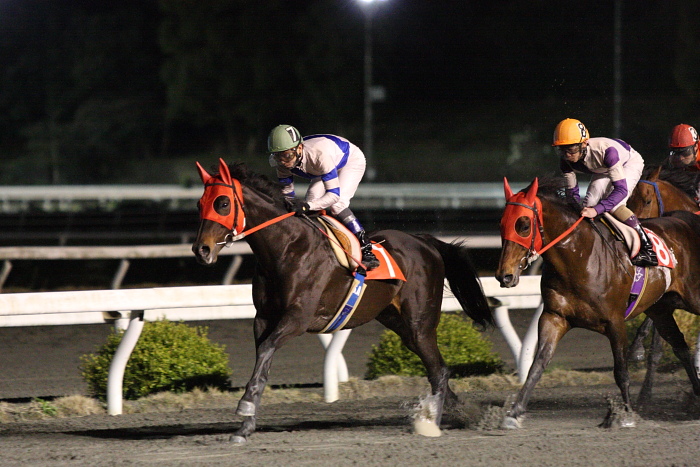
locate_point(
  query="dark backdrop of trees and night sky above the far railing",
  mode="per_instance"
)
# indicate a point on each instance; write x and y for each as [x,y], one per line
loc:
[87,86]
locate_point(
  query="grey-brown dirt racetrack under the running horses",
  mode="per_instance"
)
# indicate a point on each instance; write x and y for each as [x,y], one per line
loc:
[561,428]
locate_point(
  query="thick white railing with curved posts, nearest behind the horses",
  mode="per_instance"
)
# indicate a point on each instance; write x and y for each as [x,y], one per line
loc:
[216,302]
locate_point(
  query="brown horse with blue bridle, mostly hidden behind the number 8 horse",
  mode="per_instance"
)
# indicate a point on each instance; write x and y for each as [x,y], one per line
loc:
[659,191]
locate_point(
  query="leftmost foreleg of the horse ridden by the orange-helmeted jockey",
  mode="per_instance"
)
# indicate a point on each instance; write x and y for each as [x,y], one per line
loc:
[551,329]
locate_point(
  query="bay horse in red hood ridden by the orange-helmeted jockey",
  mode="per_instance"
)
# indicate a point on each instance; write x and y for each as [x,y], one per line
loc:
[587,278]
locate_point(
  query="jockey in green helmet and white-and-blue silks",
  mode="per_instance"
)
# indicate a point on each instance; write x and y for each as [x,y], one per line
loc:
[334,166]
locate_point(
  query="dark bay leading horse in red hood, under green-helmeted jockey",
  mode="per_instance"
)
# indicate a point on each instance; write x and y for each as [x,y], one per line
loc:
[298,285]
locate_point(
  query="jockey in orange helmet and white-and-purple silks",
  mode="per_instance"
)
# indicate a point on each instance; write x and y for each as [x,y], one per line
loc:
[615,167]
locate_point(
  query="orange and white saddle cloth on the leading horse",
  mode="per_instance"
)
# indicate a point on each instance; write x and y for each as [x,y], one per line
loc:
[342,241]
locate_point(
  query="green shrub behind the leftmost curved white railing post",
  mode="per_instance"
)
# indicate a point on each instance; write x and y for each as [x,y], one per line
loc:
[168,357]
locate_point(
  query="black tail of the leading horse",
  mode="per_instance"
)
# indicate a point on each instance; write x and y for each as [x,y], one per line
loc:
[463,280]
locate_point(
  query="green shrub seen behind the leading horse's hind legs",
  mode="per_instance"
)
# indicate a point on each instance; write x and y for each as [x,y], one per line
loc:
[464,349]
